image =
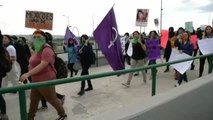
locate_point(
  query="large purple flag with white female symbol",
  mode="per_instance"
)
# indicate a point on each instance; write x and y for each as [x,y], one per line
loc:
[107,37]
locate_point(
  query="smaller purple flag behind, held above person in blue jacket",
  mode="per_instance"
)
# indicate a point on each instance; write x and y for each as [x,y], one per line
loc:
[69,35]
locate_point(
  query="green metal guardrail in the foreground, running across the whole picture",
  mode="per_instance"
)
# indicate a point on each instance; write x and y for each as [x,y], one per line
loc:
[21,88]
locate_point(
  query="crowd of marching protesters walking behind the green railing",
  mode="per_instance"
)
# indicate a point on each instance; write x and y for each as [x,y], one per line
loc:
[22,63]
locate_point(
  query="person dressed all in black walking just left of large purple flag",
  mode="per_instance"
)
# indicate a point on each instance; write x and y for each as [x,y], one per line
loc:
[85,53]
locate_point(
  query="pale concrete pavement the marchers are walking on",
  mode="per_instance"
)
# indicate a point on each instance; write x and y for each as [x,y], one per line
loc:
[108,94]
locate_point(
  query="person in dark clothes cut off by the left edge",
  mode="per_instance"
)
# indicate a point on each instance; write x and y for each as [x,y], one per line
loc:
[5,66]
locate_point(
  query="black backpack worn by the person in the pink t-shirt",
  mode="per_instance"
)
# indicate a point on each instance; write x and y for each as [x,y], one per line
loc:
[60,66]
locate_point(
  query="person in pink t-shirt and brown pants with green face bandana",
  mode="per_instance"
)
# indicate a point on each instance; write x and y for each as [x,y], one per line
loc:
[41,69]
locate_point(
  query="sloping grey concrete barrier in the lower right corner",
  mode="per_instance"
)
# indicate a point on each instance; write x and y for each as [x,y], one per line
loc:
[190,101]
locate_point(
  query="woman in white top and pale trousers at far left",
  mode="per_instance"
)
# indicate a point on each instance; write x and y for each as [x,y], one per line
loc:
[15,72]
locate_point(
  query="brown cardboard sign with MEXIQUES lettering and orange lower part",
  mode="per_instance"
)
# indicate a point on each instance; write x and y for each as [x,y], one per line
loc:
[39,20]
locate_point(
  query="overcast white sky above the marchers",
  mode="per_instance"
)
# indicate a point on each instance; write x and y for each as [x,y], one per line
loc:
[82,13]
